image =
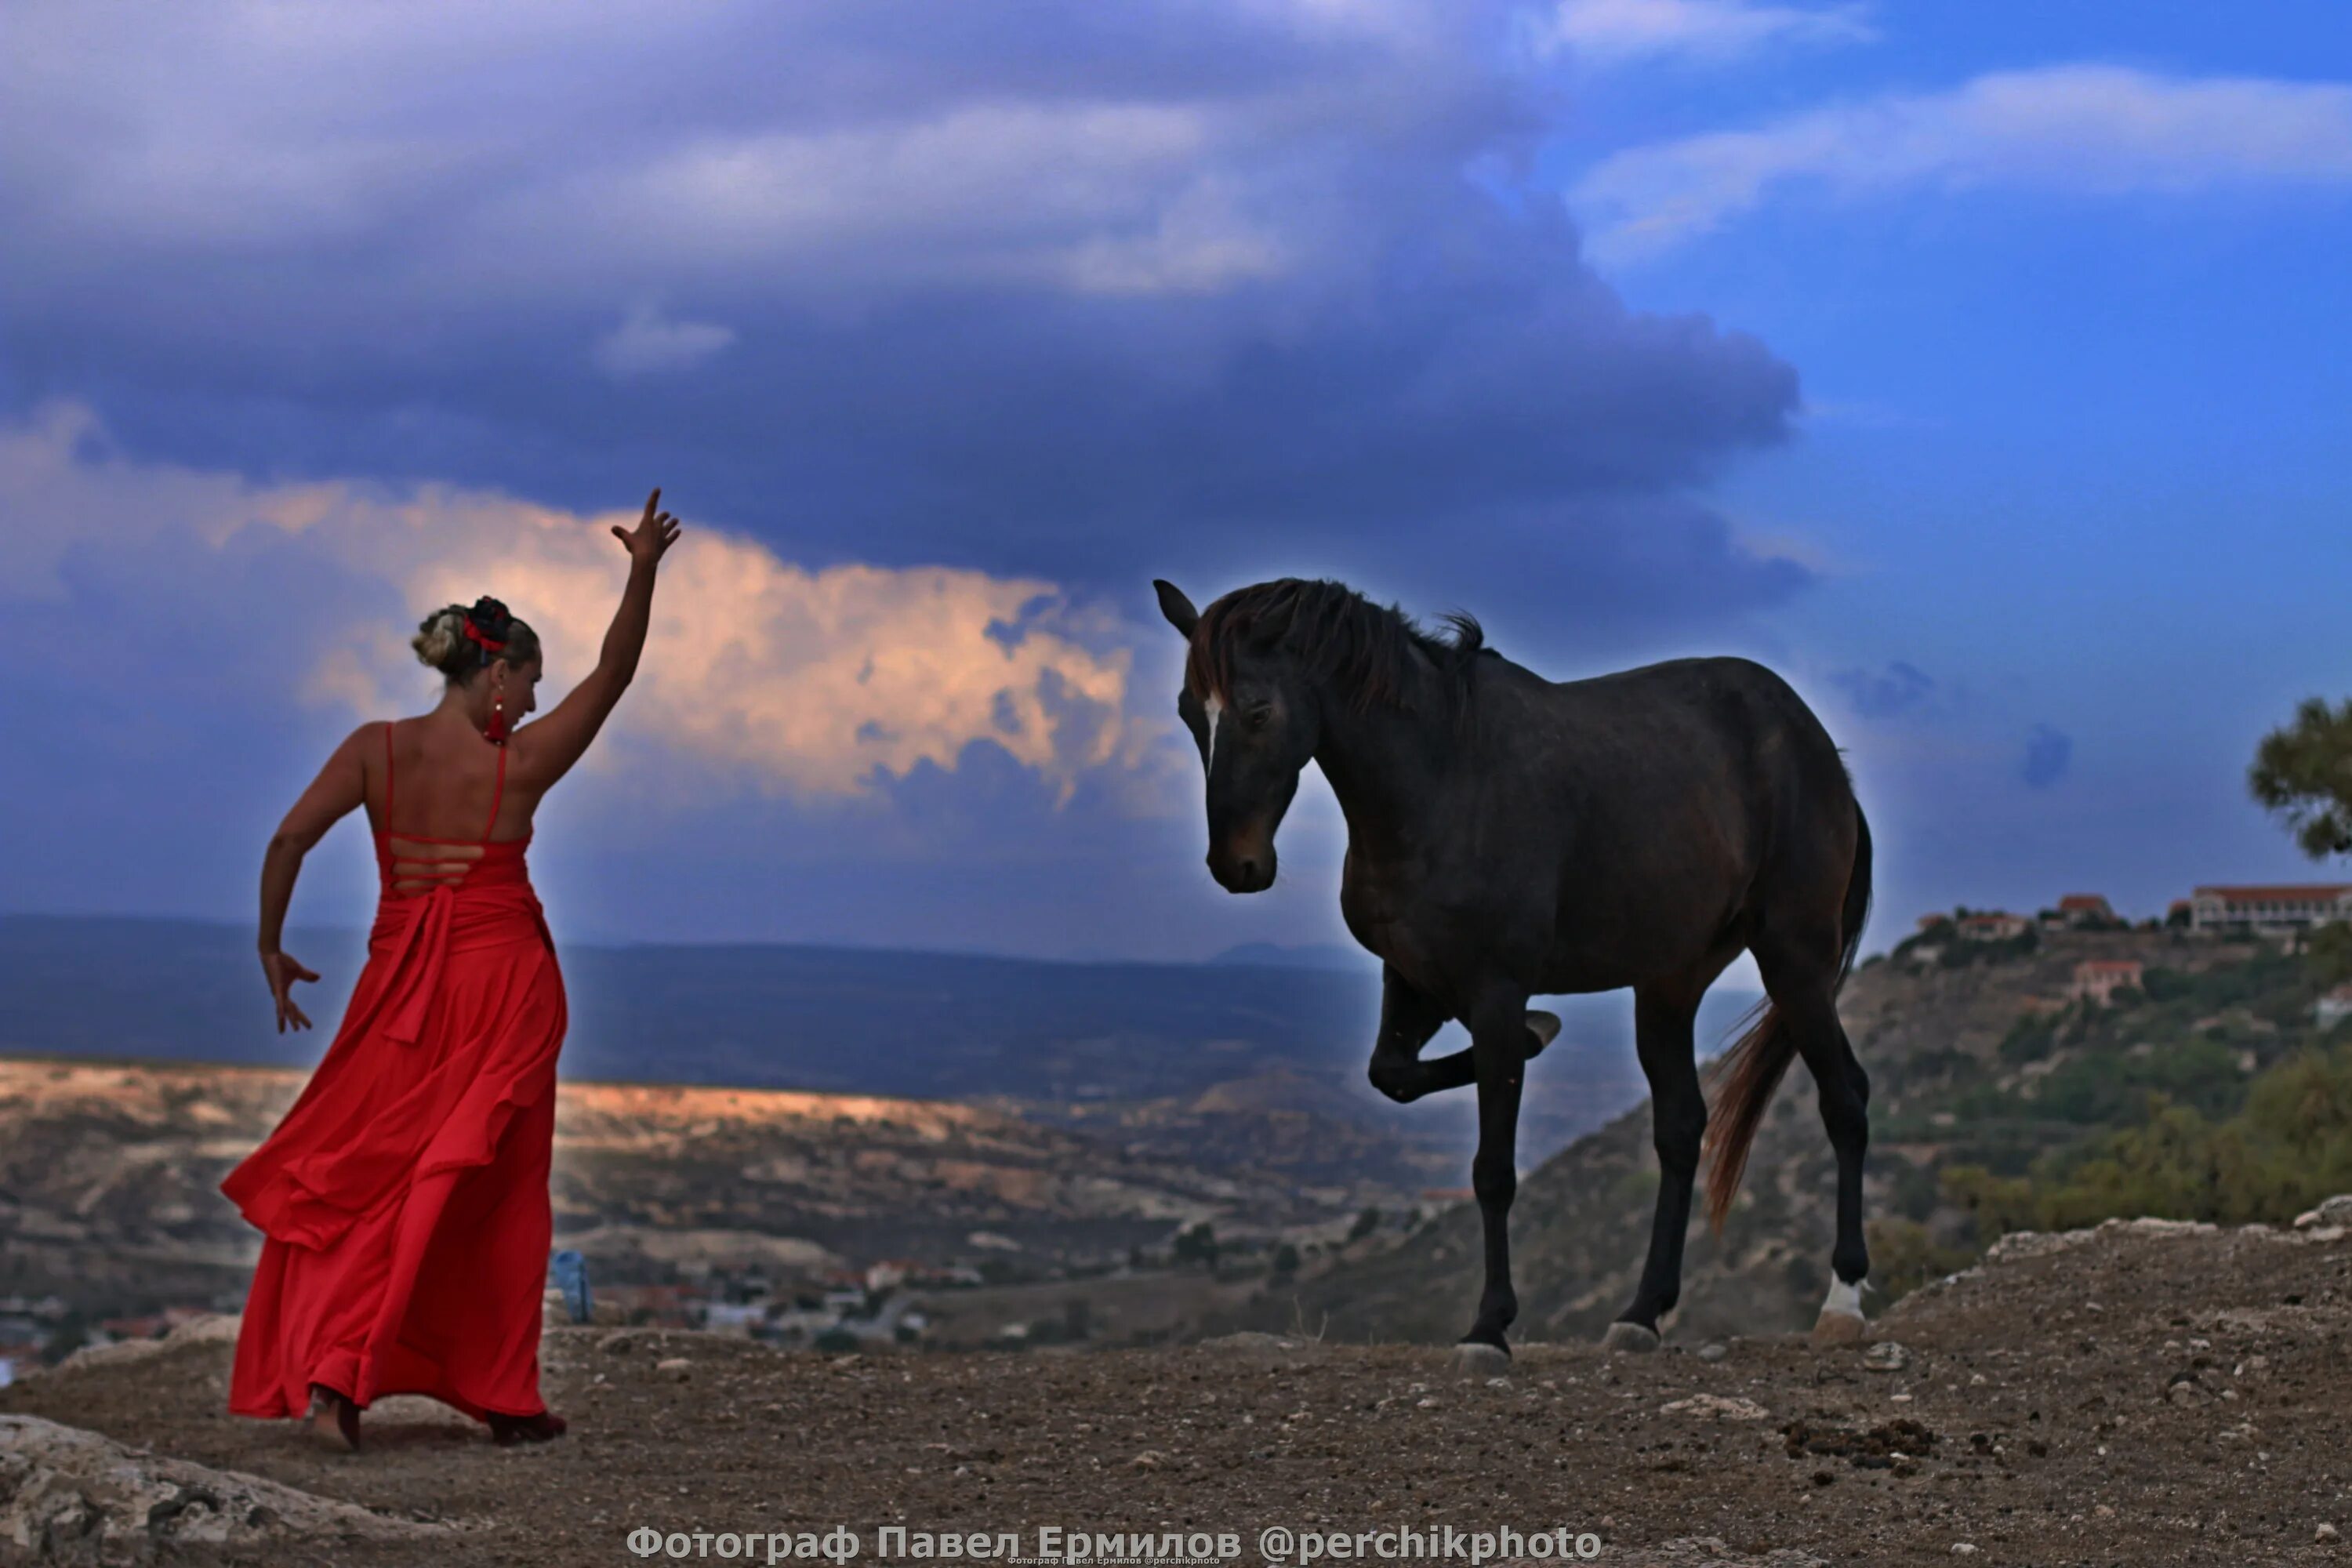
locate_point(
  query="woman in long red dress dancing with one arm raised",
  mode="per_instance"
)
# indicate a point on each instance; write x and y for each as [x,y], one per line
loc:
[406,1195]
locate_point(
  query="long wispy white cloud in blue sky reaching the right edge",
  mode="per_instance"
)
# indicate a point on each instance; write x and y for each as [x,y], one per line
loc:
[2102,130]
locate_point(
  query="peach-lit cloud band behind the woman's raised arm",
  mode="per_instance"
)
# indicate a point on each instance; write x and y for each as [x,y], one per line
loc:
[806,681]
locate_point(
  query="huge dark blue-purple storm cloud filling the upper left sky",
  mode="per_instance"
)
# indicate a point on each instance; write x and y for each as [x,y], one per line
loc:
[1074,290]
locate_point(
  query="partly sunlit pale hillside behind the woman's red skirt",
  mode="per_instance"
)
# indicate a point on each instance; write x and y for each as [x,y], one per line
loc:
[109,1181]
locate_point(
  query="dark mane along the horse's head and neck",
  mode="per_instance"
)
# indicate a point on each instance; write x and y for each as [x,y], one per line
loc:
[1361,648]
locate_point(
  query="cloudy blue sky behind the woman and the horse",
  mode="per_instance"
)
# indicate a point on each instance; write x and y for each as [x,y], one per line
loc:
[1977,368]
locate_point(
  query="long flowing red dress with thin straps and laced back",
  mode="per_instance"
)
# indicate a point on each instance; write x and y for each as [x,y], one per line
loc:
[406,1193]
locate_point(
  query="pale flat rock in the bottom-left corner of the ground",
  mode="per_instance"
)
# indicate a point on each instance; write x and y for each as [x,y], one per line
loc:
[72,1496]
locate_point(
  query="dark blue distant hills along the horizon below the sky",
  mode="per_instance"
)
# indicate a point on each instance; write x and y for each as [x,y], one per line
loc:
[1074,1043]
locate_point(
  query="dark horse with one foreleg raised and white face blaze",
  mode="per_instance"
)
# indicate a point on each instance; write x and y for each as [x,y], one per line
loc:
[1514,838]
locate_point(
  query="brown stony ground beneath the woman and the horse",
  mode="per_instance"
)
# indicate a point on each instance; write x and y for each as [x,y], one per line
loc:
[2137,1395]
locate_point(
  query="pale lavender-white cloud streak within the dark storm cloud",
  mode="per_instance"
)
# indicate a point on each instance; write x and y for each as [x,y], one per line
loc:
[1093,196]
